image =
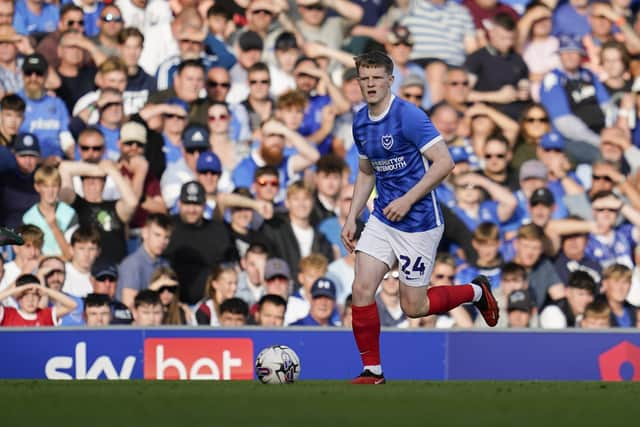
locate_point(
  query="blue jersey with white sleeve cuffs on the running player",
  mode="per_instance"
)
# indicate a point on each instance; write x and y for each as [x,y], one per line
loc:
[394,143]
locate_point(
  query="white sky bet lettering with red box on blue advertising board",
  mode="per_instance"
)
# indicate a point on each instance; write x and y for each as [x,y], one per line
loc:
[164,358]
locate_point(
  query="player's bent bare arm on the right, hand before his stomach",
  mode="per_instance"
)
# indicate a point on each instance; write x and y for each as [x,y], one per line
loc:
[441,165]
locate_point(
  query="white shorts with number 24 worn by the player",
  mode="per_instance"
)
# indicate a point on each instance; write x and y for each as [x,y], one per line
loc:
[415,252]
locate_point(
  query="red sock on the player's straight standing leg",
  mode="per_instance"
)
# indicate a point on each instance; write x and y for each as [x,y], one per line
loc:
[366,329]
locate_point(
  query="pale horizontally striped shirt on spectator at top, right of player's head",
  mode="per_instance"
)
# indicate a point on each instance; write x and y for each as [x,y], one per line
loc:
[439,30]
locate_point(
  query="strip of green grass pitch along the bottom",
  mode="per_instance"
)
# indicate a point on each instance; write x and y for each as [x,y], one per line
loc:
[317,403]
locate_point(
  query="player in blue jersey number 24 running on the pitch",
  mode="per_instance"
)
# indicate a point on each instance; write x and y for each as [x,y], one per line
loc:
[404,156]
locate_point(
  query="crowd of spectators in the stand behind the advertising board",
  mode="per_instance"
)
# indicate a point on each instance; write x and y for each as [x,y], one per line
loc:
[191,162]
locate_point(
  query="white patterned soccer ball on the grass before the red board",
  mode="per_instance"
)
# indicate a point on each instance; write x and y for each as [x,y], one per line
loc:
[277,364]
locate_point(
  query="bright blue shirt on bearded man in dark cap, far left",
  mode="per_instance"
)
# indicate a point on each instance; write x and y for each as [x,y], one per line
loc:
[46,118]
